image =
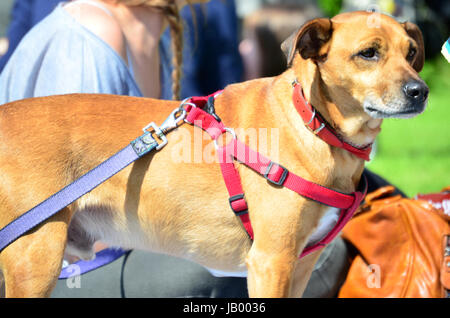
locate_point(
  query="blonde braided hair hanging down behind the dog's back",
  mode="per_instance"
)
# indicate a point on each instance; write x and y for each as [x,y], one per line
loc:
[171,12]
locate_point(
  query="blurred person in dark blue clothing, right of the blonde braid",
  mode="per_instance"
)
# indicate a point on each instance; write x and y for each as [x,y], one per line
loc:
[211,58]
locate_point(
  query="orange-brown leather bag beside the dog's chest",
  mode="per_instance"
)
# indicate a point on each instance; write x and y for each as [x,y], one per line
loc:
[402,247]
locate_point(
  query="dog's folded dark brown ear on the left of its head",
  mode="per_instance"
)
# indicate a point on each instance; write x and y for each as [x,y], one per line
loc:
[308,40]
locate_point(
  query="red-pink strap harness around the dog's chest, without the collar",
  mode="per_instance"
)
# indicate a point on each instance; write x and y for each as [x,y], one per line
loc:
[273,172]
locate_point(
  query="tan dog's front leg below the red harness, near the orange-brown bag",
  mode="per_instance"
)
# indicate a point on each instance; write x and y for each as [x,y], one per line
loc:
[281,231]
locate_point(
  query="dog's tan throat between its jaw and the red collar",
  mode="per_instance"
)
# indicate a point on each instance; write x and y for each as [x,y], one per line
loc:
[337,107]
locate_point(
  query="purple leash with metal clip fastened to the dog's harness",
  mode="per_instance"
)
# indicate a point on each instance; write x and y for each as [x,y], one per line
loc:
[89,181]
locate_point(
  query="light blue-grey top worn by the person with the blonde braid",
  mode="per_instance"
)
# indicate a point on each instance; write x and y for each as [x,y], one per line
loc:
[61,56]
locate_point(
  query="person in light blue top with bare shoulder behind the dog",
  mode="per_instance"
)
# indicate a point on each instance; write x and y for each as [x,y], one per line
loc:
[103,47]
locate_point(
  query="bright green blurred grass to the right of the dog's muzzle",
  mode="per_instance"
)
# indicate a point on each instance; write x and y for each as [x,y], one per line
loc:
[414,154]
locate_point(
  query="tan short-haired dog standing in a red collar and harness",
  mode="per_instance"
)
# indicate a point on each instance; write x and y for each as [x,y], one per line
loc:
[353,71]
